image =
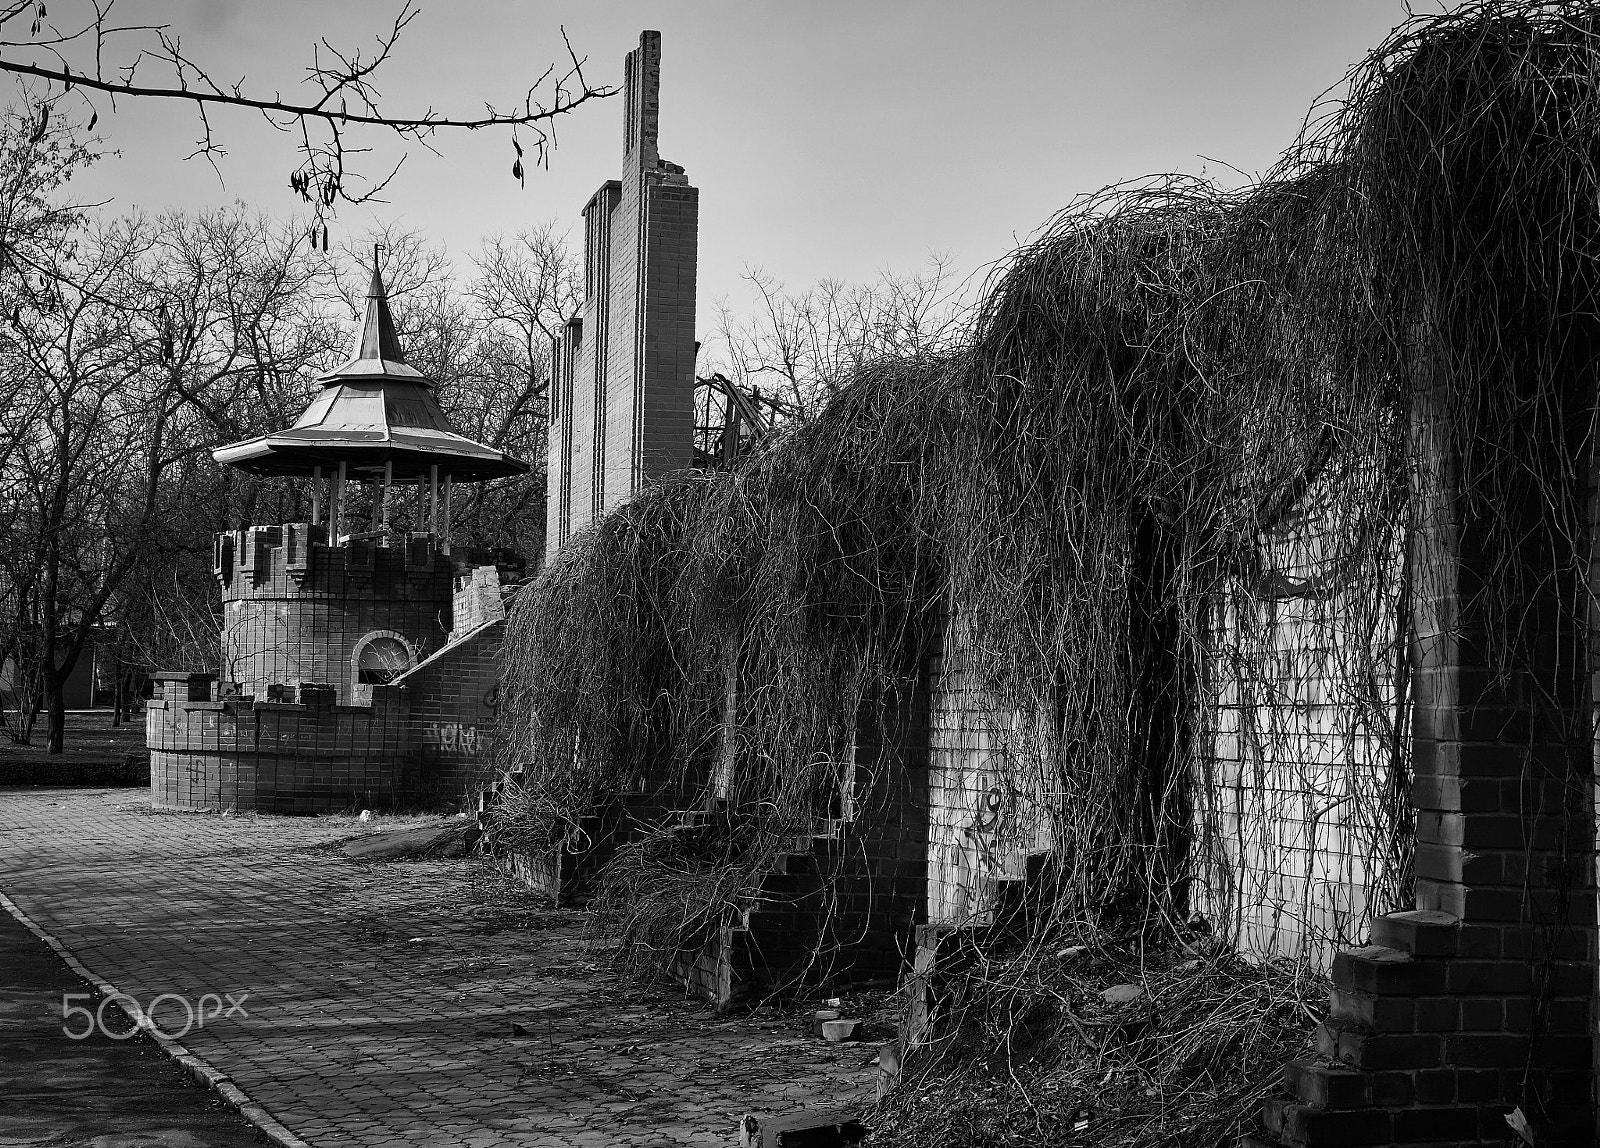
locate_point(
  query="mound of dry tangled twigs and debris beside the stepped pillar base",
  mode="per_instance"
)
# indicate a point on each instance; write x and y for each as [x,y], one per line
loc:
[1127,1045]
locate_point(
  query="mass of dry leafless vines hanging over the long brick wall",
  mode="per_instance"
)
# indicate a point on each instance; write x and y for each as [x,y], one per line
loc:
[1086,504]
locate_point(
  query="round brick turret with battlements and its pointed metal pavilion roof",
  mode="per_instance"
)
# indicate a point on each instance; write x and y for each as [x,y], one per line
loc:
[358,656]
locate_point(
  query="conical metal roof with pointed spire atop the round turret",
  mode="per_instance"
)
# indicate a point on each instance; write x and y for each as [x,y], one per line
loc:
[374,410]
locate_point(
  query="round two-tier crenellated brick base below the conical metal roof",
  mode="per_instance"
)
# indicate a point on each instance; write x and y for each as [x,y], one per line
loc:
[292,728]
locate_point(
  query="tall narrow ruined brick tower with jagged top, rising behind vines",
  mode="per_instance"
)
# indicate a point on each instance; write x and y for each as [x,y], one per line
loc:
[625,378]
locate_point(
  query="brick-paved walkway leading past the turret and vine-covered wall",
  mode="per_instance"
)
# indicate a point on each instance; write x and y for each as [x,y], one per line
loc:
[382,997]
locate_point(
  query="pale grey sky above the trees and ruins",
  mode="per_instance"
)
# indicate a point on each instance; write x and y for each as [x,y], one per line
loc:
[830,138]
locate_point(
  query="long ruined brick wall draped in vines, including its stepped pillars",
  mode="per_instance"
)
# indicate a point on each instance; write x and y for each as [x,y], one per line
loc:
[1367,722]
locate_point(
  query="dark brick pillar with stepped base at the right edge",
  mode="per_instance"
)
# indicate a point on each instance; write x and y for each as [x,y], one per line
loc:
[1479,1002]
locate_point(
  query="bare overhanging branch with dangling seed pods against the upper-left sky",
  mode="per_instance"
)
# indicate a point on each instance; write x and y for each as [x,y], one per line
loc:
[92,57]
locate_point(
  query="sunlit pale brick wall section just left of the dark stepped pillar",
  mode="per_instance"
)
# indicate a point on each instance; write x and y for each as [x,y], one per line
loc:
[1302,829]
